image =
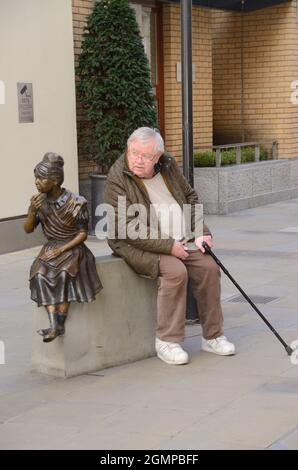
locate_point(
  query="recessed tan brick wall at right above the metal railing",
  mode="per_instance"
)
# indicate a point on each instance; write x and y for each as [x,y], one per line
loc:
[270,58]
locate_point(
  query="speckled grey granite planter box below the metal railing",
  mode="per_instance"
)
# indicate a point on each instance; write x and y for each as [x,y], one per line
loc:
[236,187]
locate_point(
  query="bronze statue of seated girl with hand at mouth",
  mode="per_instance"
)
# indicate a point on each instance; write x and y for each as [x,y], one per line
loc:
[65,270]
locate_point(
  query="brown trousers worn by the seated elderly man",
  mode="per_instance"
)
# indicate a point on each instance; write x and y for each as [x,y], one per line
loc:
[171,298]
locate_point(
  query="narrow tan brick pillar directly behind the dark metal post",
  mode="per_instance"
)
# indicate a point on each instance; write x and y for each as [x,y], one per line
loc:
[202,87]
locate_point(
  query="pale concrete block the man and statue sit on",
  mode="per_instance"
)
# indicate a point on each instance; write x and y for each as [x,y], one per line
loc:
[117,328]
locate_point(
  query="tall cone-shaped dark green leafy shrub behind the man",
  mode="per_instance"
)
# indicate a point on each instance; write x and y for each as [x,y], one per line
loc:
[114,80]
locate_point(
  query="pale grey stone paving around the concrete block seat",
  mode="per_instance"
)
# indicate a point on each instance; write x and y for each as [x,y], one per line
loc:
[248,401]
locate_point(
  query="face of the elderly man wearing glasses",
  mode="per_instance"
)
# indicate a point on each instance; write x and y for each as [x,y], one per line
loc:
[142,157]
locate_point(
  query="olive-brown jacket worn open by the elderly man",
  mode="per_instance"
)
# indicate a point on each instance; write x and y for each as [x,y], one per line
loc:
[143,254]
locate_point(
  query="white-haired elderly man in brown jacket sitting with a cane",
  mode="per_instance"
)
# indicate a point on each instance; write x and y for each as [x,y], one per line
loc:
[147,176]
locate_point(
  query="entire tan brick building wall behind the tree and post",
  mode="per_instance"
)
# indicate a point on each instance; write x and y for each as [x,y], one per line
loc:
[270,58]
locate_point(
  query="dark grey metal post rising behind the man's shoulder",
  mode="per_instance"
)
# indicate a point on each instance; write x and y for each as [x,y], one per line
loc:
[187,115]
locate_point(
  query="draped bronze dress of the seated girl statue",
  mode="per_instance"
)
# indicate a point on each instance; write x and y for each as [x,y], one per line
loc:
[72,276]
